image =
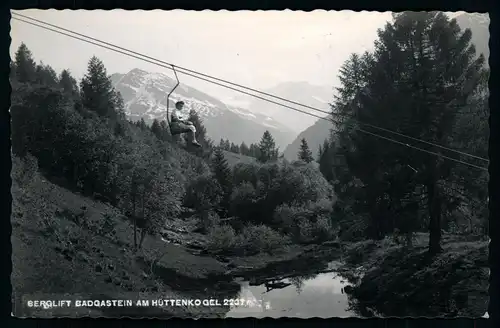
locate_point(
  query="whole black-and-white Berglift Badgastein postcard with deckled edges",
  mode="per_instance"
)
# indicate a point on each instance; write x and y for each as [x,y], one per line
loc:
[232,164]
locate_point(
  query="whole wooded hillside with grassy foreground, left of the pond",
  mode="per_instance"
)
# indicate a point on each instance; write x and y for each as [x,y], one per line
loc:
[94,194]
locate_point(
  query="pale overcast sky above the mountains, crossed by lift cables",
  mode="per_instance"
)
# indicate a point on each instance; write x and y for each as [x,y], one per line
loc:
[256,48]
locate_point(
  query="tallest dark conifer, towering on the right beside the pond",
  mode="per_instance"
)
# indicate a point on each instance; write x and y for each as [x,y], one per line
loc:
[423,70]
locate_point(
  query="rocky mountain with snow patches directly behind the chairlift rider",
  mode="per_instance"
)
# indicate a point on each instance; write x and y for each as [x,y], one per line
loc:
[144,94]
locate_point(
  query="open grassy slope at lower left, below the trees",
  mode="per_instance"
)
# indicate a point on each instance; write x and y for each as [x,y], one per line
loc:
[53,254]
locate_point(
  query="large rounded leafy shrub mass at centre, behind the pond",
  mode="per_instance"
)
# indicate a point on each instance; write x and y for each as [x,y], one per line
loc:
[261,189]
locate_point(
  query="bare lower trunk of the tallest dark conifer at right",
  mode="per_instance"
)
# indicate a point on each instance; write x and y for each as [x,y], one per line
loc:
[434,207]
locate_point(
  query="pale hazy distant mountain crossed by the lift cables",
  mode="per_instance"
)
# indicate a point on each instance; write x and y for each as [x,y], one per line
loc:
[299,92]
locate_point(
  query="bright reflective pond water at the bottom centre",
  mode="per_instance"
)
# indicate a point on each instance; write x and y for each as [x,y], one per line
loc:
[315,295]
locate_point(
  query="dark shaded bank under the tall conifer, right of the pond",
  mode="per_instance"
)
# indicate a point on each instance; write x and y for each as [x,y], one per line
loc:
[400,281]
